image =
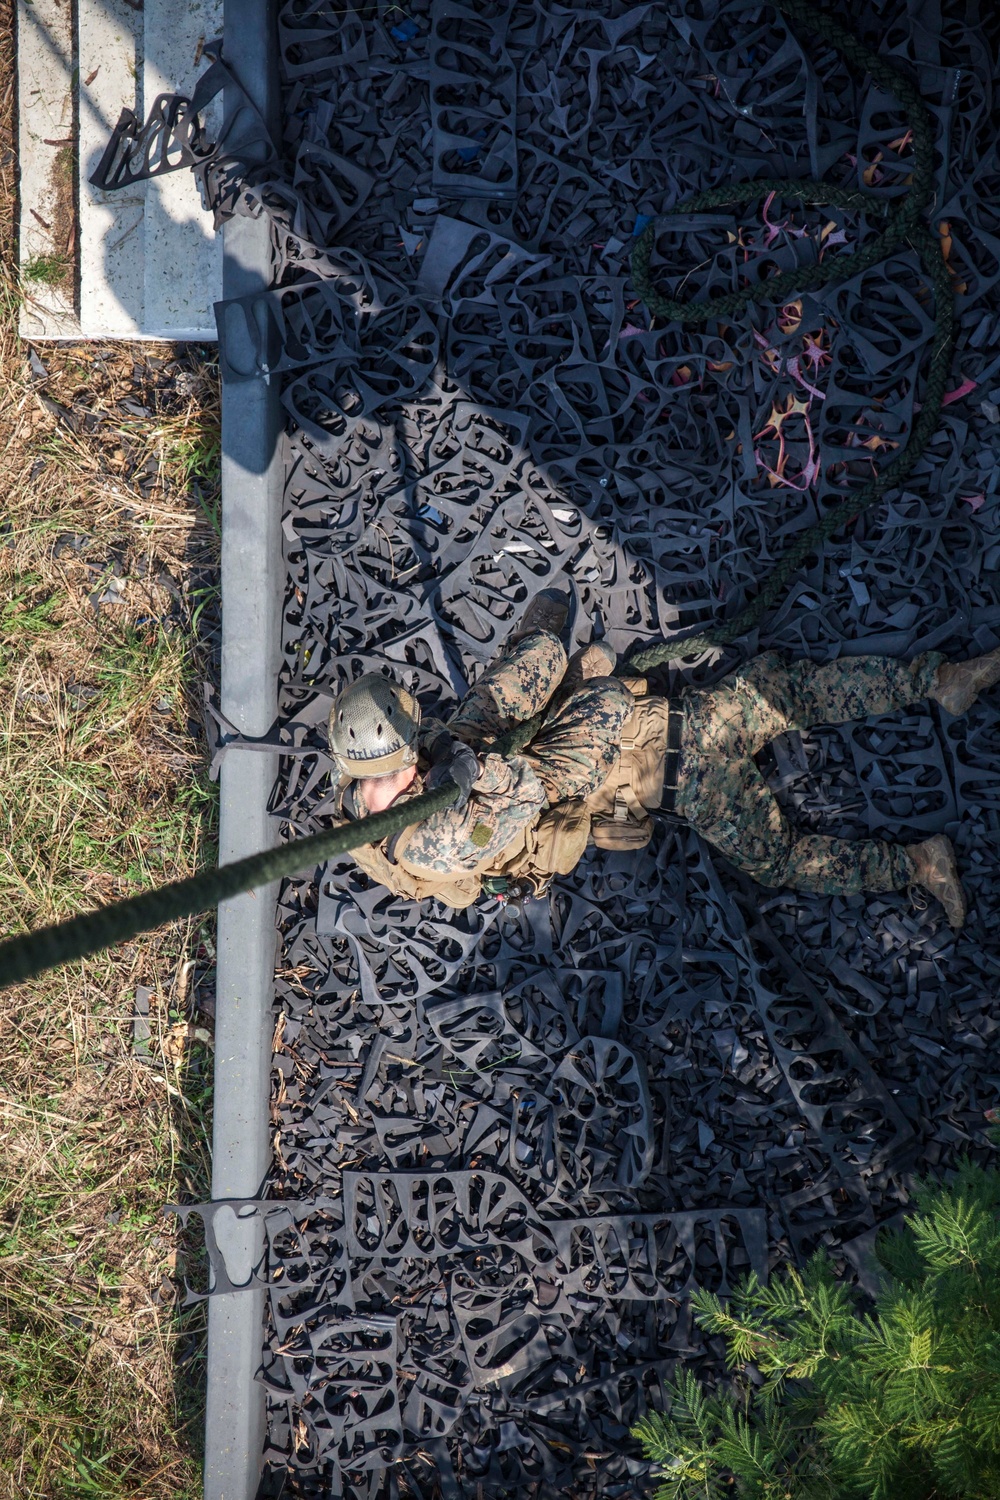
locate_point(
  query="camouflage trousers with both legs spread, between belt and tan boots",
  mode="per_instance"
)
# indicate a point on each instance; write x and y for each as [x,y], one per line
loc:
[723,794]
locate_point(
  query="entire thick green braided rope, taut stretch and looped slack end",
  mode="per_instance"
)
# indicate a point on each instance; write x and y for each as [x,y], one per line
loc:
[34,953]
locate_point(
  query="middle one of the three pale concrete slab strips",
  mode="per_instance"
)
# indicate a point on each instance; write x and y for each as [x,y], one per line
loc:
[112,224]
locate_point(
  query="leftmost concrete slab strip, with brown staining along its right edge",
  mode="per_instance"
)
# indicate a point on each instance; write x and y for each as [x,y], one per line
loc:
[47,137]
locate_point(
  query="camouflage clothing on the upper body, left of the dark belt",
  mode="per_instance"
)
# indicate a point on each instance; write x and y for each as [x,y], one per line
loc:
[569,758]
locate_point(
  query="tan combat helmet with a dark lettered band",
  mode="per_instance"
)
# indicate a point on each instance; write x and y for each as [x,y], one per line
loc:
[374,727]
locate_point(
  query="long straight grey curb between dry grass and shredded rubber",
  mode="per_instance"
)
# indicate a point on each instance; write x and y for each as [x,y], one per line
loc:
[253,592]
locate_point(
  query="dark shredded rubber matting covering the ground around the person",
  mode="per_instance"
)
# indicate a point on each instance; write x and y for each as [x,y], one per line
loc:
[510,1141]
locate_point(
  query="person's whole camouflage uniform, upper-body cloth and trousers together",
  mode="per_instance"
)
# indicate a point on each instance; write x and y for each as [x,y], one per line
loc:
[720,790]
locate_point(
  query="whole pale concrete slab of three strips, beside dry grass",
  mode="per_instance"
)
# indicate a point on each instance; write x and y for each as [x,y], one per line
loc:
[136,265]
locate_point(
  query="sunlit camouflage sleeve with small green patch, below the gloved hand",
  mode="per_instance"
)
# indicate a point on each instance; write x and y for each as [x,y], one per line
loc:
[506,800]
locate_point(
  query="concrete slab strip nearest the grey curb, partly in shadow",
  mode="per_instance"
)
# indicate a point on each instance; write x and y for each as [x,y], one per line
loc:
[184,254]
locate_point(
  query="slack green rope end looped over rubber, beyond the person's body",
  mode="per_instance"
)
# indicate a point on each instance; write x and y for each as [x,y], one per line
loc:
[905,226]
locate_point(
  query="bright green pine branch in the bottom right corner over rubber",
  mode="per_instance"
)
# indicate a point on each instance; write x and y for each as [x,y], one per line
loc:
[896,1405]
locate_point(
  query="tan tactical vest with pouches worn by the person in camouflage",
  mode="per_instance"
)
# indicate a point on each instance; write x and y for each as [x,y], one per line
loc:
[615,817]
